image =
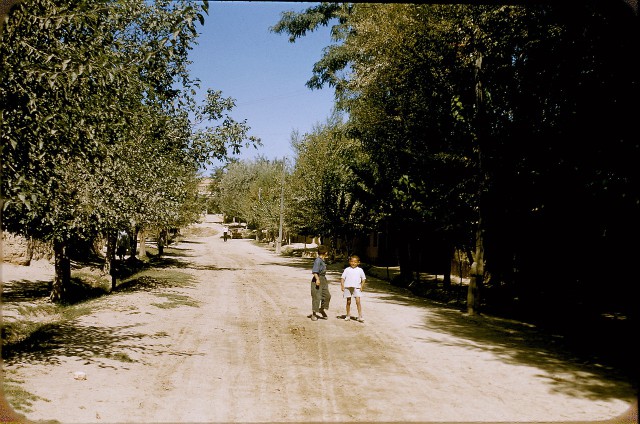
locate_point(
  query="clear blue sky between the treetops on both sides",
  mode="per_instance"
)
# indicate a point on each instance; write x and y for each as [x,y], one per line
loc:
[262,71]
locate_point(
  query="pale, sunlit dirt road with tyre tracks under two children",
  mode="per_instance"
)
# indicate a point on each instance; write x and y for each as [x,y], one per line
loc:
[232,343]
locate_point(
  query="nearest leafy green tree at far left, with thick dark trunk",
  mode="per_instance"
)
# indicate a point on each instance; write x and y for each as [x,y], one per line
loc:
[60,89]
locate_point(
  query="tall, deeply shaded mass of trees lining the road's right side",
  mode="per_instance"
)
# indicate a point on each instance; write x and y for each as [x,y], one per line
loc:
[506,131]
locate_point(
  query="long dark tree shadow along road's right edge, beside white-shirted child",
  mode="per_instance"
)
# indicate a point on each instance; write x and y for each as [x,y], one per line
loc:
[587,362]
